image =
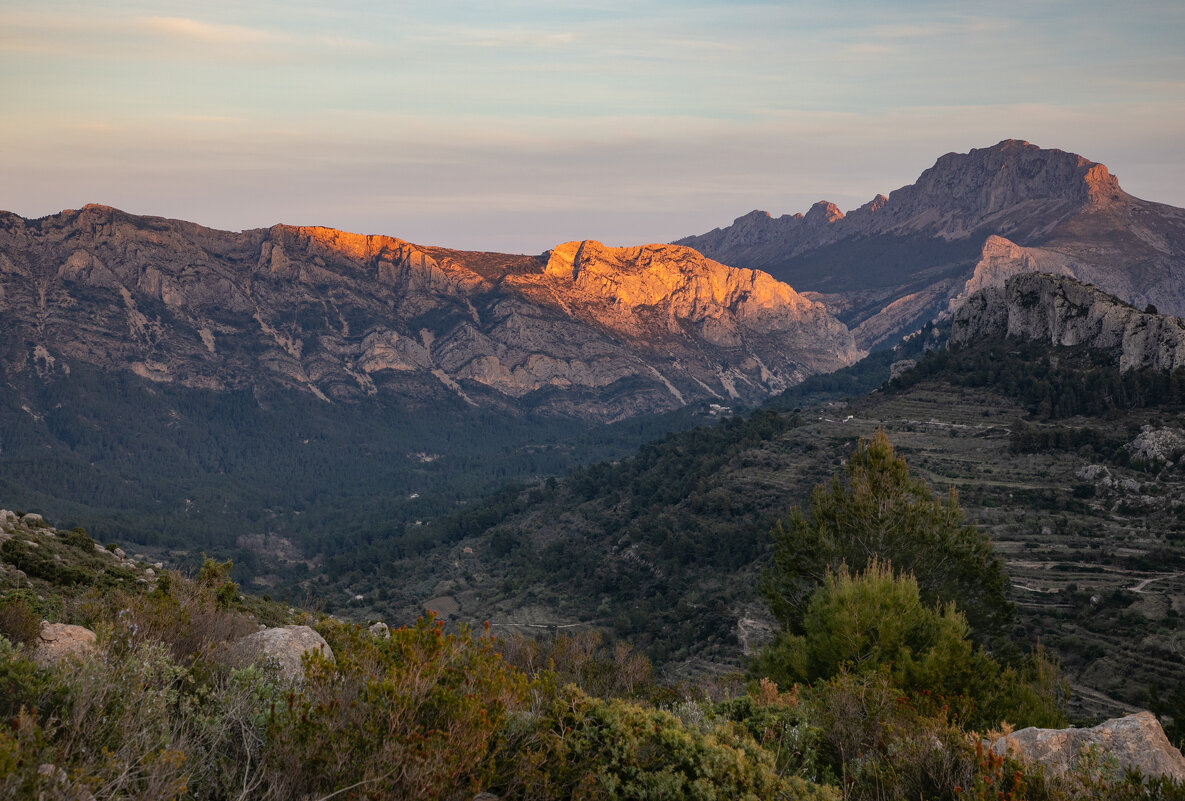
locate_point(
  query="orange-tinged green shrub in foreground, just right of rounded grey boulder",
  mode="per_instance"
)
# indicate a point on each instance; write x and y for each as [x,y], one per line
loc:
[414,716]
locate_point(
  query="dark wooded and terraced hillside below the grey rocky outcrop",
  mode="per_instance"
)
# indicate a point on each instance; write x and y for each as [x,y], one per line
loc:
[667,548]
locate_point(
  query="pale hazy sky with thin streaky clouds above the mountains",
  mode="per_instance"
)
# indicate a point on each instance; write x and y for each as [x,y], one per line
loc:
[517,126]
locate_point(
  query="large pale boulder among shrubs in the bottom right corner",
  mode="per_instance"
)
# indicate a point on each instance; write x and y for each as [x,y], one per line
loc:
[1136,741]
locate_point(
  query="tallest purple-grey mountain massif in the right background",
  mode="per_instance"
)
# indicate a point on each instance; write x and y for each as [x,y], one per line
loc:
[971,221]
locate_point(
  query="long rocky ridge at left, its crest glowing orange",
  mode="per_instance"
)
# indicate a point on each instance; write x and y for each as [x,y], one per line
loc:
[585,330]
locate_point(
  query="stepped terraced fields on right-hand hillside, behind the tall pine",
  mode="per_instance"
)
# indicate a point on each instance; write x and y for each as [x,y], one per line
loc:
[1097,558]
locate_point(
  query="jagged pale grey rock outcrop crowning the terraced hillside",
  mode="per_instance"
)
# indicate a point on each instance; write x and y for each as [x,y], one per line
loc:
[1066,312]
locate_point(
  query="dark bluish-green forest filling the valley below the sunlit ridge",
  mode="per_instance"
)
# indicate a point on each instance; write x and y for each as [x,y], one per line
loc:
[182,469]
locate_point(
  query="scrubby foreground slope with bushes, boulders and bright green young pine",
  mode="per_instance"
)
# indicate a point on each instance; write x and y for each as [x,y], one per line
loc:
[123,681]
